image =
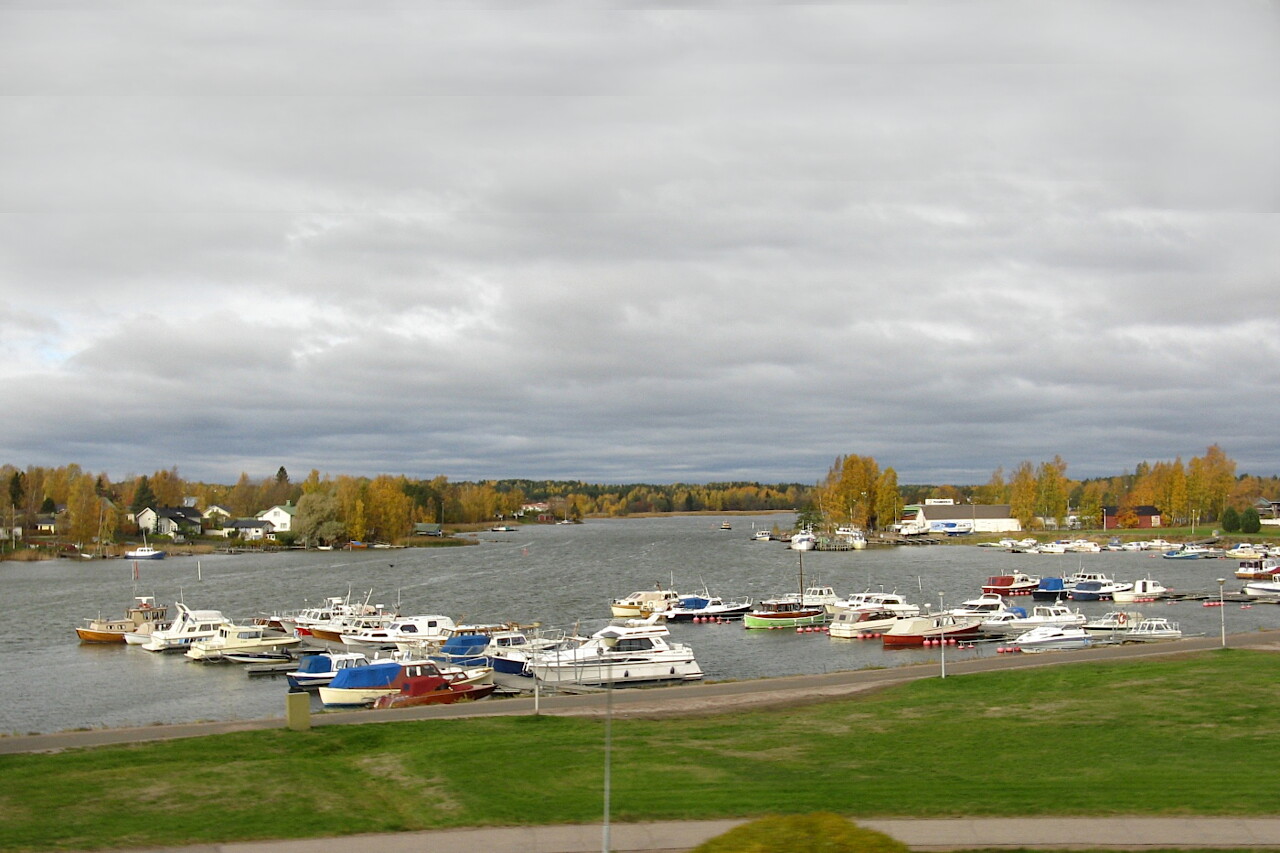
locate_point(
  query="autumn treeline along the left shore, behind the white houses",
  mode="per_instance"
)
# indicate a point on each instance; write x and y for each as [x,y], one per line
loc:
[93,508]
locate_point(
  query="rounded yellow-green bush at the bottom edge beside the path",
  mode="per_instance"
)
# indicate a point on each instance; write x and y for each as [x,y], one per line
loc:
[819,833]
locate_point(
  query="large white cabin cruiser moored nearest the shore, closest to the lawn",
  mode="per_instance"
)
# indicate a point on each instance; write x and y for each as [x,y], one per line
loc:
[627,653]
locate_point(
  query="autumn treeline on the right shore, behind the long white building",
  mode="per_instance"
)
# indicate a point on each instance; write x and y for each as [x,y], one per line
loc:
[1204,490]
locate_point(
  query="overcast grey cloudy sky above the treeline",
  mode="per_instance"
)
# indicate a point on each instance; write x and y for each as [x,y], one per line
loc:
[646,243]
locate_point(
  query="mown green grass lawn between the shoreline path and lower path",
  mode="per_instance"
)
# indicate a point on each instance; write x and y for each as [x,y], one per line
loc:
[1172,737]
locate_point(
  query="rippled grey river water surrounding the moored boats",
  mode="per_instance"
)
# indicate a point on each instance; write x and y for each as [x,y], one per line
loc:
[559,576]
